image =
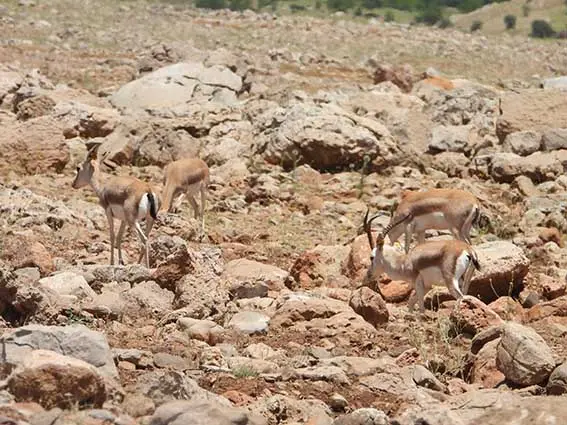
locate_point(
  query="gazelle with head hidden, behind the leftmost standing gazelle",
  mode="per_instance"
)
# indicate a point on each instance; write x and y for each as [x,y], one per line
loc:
[186,177]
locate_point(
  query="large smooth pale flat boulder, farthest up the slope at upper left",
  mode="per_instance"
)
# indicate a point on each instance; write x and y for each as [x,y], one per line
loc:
[176,85]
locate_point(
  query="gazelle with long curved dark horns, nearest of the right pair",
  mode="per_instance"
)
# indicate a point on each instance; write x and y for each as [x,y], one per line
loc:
[426,264]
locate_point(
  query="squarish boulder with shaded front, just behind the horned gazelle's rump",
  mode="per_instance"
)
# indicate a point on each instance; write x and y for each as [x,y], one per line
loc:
[503,268]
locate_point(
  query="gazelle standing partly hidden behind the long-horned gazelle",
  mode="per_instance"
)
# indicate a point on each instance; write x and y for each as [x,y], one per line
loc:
[438,209]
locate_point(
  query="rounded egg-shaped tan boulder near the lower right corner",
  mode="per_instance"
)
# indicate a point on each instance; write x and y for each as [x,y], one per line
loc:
[523,356]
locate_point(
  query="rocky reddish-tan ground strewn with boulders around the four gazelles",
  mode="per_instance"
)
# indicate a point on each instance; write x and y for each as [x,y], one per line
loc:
[304,122]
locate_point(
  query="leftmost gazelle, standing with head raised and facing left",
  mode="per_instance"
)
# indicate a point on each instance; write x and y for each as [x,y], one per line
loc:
[125,198]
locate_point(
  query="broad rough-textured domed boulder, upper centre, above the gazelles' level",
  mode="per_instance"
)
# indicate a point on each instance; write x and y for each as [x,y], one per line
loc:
[325,137]
